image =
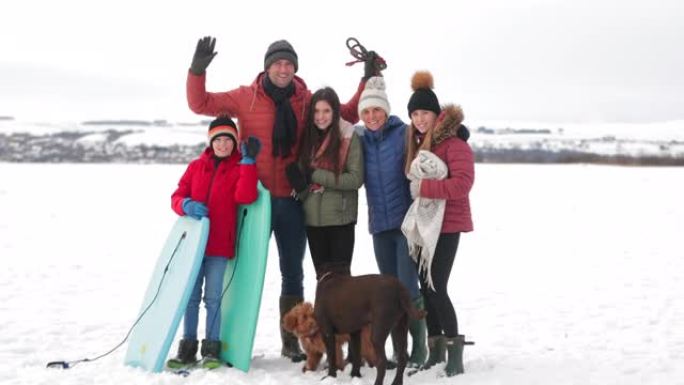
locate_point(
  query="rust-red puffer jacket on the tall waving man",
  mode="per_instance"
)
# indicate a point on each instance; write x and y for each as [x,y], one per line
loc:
[255,112]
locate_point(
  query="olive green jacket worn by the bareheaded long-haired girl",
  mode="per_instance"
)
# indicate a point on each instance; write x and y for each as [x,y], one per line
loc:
[338,202]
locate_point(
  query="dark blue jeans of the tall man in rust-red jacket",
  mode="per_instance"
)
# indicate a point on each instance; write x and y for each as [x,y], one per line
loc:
[287,223]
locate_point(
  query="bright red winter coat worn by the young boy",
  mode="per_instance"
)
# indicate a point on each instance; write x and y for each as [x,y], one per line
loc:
[221,189]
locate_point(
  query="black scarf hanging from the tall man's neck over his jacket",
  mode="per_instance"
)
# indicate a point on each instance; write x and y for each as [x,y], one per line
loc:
[285,125]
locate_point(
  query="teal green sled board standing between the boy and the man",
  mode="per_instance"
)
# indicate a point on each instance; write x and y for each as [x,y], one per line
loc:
[244,281]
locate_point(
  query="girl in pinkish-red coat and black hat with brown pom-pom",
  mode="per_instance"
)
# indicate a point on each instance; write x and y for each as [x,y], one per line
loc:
[439,130]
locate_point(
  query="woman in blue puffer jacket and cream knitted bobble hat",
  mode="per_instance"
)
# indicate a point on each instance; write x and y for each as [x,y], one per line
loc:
[387,192]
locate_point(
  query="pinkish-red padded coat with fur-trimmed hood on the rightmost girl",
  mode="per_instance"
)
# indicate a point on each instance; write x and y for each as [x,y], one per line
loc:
[458,156]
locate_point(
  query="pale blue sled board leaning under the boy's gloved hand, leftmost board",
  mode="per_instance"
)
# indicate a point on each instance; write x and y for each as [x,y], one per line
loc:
[167,294]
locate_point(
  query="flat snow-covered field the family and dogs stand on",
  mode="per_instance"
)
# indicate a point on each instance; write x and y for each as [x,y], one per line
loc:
[574,275]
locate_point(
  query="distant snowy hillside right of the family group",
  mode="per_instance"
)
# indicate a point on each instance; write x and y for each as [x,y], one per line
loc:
[645,143]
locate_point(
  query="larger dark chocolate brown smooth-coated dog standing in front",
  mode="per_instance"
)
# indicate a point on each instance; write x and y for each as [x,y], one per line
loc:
[344,304]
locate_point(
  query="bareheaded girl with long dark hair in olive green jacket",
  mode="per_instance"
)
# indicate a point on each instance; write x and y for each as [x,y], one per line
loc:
[327,178]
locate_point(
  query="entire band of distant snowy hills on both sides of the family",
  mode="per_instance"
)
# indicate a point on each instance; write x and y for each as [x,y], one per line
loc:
[160,141]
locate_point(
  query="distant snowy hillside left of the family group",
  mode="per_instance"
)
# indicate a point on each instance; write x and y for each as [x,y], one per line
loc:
[118,141]
